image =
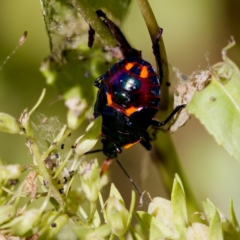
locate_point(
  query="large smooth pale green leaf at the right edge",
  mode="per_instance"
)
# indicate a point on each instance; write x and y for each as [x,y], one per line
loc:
[218,106]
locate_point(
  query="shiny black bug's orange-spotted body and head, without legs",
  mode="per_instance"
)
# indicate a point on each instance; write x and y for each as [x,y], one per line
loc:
[128,99]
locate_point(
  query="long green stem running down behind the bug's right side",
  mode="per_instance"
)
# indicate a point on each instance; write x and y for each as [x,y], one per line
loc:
[165,156]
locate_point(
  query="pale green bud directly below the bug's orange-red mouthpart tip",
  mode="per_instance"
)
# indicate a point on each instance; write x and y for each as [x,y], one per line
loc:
[90,180]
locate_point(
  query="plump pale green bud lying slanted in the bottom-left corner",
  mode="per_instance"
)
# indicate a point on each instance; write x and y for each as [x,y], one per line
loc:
[23,225]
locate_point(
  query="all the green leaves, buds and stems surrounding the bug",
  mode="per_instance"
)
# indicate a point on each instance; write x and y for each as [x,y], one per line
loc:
[70,187]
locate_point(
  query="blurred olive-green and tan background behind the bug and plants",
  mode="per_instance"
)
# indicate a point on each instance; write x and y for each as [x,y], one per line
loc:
[194,34]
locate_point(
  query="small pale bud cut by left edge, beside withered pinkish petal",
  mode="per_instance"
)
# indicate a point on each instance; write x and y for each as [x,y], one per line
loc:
[8,172]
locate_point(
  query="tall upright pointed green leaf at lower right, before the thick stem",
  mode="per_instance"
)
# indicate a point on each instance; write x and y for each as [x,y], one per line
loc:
[178,200]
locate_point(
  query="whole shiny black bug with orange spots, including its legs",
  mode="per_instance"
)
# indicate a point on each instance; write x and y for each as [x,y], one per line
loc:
[129,96]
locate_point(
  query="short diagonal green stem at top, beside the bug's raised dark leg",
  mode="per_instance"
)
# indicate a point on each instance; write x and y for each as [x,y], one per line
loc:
[95,22]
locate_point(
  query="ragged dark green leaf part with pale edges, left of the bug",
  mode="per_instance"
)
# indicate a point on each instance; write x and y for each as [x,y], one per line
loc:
[75,78]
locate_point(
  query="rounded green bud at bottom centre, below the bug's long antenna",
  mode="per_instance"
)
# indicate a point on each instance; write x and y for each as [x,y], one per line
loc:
[117,216]
